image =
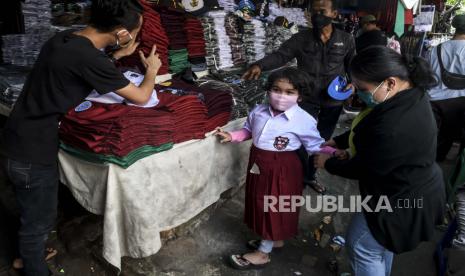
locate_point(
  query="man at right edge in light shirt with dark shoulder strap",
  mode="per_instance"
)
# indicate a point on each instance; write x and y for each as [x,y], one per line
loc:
[449,102]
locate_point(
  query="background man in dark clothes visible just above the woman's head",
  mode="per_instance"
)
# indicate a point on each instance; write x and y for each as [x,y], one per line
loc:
[371,34]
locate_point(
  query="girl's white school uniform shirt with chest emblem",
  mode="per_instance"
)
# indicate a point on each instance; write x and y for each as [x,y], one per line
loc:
[287,131]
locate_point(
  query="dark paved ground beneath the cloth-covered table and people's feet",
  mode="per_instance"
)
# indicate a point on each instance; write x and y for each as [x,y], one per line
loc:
[202,250]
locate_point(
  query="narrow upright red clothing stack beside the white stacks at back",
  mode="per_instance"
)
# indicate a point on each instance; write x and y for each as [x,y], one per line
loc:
[195,38]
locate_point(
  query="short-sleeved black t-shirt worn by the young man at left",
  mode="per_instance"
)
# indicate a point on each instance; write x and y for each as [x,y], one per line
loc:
[68,68]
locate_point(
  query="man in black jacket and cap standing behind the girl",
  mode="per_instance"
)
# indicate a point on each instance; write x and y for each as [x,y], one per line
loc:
[324,52]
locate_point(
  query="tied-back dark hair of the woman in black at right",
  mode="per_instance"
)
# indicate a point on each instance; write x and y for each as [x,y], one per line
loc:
[377,63]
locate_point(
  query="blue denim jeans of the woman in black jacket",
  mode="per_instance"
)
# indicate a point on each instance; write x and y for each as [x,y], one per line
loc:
[367,256]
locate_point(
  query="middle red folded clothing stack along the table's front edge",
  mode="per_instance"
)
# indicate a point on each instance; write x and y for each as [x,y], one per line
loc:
[189,113]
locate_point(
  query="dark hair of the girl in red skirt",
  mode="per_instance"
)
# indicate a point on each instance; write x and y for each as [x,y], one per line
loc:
[298,78]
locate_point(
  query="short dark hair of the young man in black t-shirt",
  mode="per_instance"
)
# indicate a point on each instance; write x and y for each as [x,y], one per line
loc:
[107,15]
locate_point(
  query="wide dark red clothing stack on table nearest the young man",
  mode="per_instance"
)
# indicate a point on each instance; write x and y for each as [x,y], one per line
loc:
[116,129]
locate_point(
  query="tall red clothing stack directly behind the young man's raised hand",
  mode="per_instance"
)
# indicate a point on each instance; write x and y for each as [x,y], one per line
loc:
[151,33]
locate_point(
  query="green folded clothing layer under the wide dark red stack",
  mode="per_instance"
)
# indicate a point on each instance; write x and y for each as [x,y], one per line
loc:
[124,161]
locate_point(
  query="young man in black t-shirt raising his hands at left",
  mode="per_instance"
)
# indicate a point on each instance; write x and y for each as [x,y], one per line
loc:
[69,67]
